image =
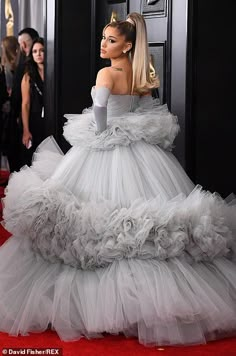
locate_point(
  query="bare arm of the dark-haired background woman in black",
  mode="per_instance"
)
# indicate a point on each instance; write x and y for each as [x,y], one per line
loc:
[25,109]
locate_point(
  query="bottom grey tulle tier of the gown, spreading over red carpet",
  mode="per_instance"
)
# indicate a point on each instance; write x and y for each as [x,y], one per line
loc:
[160,302]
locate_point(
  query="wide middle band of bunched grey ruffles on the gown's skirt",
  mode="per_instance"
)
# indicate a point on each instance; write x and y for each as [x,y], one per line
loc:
[88,235]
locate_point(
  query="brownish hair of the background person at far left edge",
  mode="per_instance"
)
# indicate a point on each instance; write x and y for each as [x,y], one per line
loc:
[10,52]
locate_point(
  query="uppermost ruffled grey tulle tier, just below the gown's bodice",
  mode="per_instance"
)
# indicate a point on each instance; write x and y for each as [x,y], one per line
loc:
[150,122]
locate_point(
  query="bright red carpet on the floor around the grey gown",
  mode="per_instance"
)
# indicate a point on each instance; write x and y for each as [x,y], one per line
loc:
[109,345]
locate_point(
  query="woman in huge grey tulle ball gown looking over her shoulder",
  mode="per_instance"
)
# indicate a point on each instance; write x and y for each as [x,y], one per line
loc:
[113,236]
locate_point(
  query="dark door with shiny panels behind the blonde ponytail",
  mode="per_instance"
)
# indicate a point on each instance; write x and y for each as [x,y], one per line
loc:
[167,36]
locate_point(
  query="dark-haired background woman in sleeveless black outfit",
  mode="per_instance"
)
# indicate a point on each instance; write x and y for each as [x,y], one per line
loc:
[32,110]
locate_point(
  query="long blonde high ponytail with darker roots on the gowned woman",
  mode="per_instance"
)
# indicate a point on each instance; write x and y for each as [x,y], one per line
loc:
[134,30]
